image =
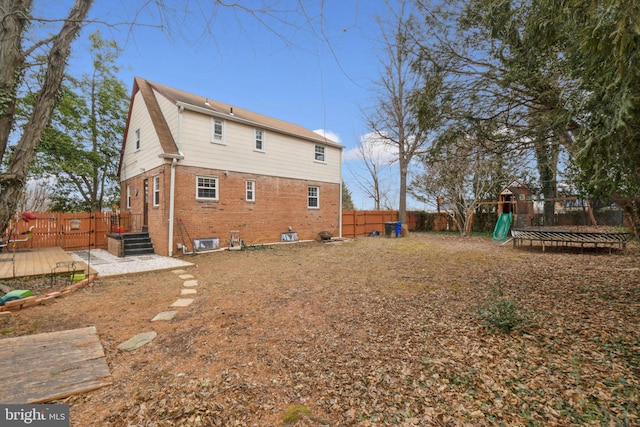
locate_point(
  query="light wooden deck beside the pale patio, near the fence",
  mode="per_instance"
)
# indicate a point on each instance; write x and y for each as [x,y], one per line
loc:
[38,262]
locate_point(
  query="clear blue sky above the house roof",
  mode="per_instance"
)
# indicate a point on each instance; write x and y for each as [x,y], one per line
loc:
[318,74]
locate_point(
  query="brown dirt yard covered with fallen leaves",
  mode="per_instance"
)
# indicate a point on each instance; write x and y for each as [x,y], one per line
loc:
[370,332]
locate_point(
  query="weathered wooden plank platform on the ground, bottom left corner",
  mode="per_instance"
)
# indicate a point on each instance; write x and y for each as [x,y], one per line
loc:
[44,367]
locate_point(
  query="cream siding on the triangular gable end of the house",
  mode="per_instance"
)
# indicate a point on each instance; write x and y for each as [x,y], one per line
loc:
[135,161]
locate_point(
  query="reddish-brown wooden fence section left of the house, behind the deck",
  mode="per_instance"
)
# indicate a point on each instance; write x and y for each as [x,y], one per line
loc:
[71,231]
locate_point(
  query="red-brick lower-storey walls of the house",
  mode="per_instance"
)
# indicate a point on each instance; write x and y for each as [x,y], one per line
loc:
[279,203]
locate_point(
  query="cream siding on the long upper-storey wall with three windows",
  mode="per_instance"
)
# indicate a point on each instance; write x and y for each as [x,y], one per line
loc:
[284,156]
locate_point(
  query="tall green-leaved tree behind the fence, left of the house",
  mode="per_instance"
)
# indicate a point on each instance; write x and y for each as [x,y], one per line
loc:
[81,146]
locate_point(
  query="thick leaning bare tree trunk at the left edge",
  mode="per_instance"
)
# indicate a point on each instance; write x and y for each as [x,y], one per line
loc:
[12,182]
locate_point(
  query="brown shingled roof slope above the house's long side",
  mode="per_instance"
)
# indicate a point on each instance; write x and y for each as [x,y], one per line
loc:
[232,113]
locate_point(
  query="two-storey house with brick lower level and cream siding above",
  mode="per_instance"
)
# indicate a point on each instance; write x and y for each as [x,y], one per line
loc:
[194,168]
